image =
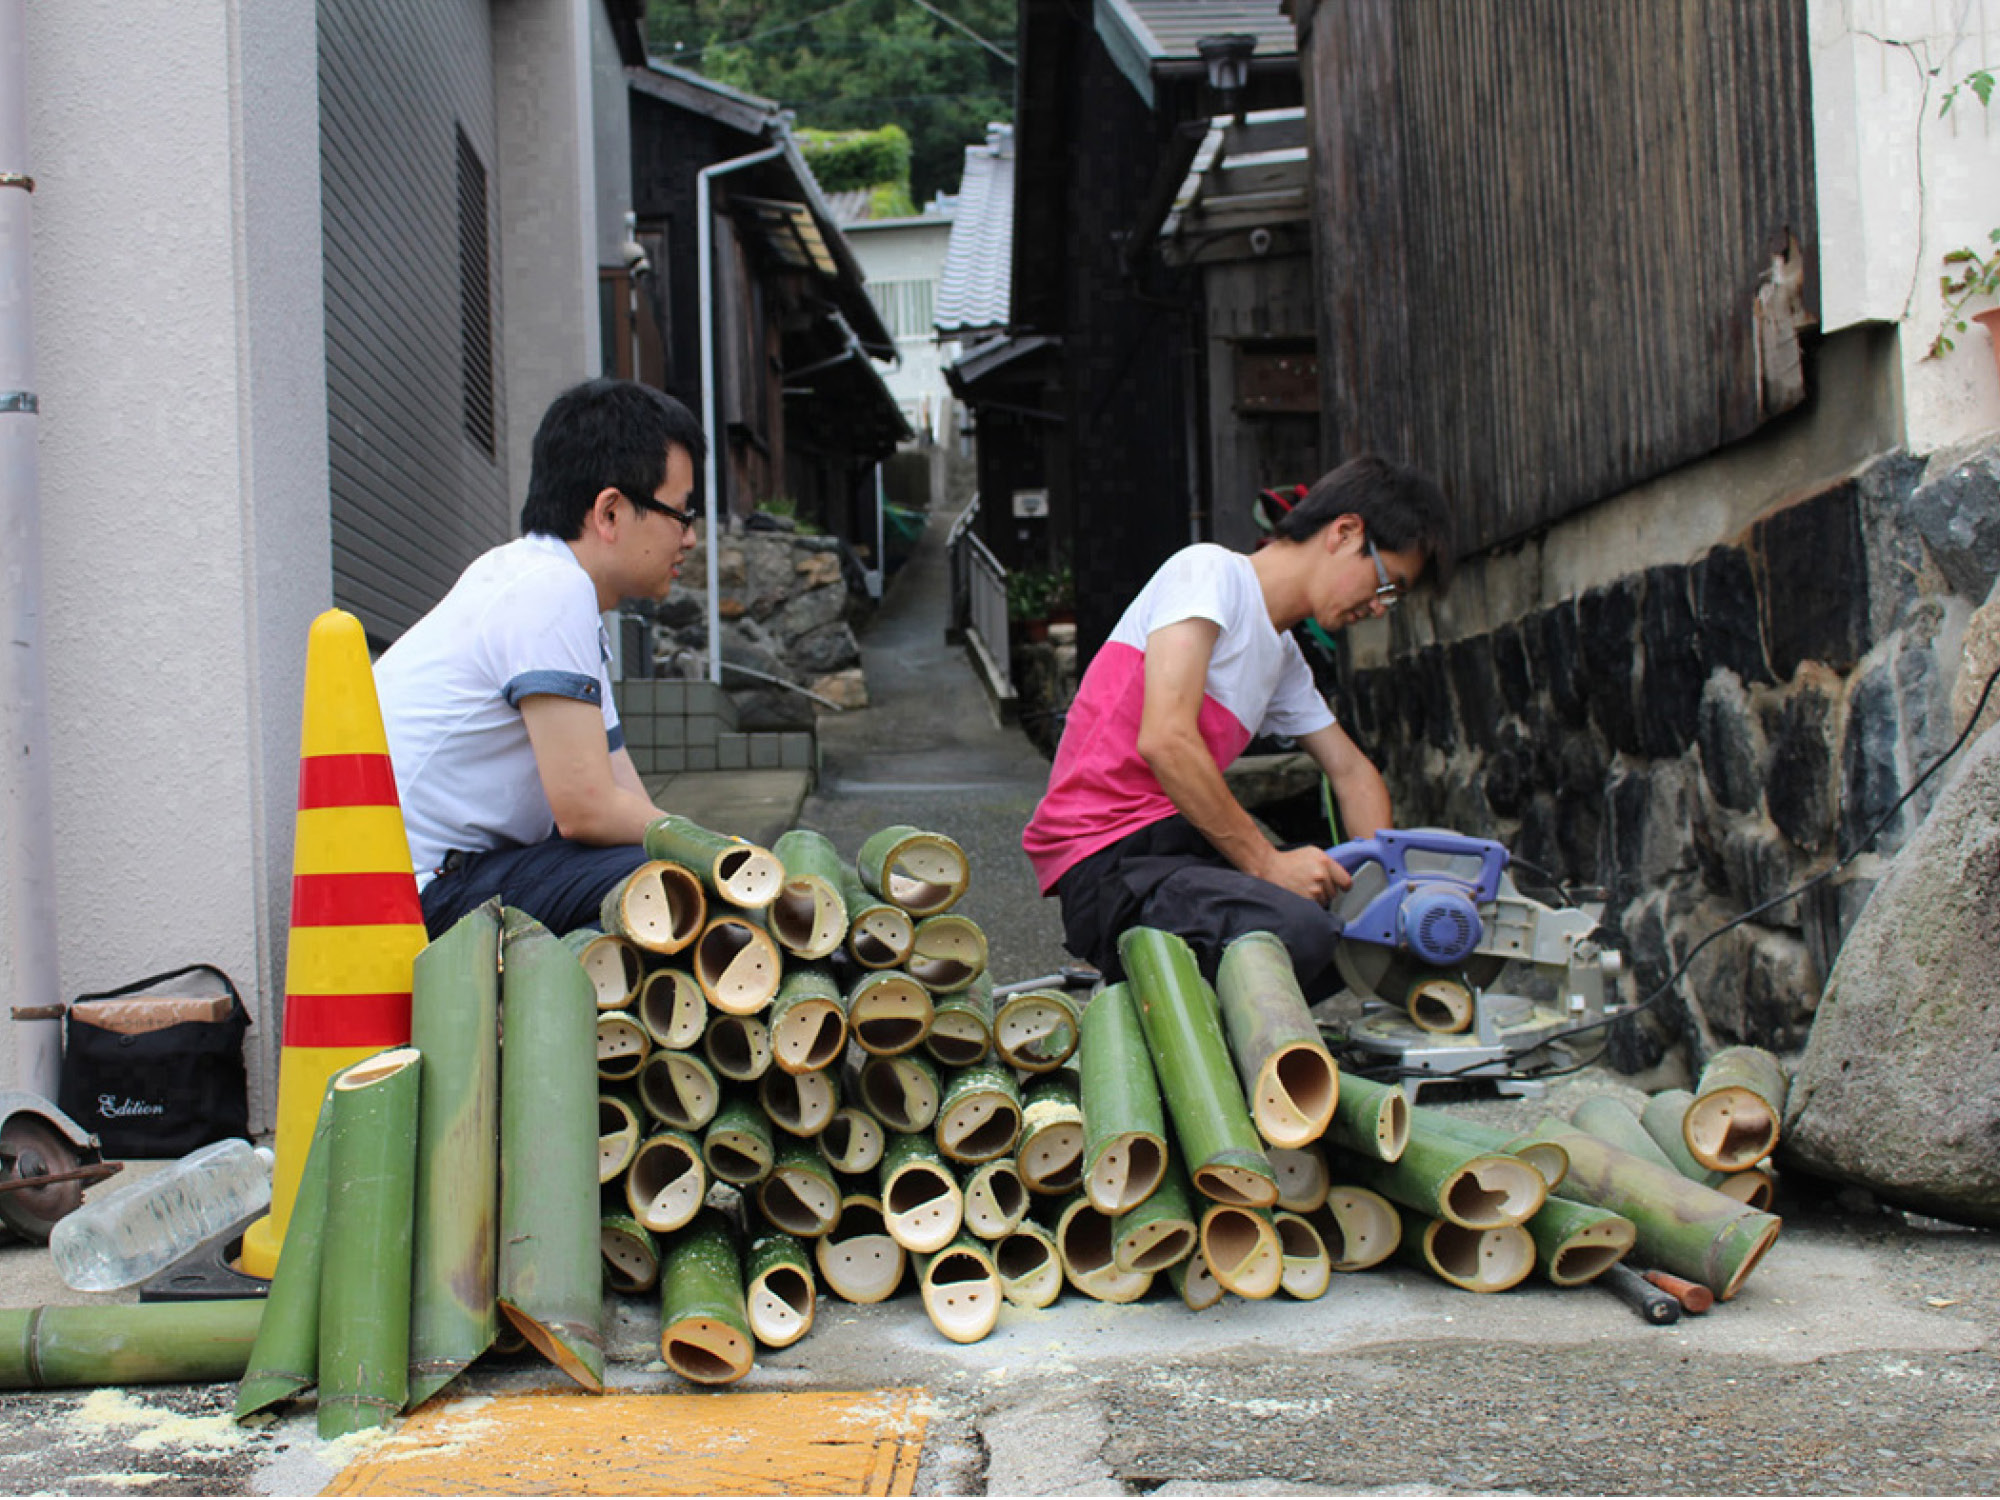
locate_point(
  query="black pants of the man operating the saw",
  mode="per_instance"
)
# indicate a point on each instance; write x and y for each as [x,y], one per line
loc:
[1173,879]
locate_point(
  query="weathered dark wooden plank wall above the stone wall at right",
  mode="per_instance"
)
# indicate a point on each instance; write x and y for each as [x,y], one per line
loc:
[1541,235]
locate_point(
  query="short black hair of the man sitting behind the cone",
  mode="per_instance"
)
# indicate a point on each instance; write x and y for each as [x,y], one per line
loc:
[603,435]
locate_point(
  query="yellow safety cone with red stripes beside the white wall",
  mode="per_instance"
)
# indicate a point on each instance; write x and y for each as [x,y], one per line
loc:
[357,923]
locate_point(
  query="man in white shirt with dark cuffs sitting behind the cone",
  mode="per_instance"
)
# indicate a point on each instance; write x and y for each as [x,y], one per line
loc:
[499,709]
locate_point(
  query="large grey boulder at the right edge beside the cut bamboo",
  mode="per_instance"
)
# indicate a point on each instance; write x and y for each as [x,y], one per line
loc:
[1899,1089]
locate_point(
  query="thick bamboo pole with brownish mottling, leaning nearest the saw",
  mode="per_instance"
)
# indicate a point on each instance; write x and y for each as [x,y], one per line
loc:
[1289,1077]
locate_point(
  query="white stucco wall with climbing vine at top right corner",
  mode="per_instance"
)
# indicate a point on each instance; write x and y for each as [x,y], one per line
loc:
[1899,187]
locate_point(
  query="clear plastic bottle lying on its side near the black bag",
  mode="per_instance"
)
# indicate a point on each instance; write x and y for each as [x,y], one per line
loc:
[151,1223]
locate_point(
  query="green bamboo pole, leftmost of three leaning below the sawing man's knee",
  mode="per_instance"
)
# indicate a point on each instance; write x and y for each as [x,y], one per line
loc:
[1125,1121]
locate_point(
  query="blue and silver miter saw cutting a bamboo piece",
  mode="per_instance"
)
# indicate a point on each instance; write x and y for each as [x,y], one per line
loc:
[1433,929]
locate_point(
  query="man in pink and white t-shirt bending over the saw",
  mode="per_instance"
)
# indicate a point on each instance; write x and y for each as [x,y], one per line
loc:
[1139,827]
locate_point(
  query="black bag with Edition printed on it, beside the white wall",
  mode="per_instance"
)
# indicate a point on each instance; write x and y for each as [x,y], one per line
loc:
[159,1093]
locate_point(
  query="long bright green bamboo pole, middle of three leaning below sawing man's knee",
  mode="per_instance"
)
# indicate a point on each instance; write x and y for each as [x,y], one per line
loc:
[1177,1011]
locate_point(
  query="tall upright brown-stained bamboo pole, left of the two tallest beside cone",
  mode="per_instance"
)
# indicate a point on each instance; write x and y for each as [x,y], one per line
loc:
[455,1023]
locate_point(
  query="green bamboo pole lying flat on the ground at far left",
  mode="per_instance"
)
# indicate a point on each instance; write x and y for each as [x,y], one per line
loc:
[129,1343]
